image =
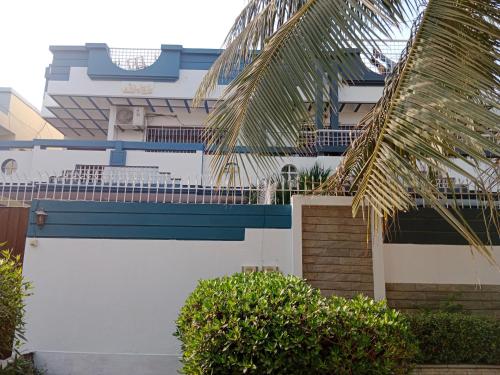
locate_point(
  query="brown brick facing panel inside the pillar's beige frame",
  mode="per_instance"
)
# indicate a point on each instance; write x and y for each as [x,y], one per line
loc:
[335,253]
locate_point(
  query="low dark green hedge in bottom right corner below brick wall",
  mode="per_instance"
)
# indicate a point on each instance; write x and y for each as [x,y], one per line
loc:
[454,338]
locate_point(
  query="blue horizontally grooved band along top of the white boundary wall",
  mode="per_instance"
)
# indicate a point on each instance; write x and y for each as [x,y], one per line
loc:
[201,222]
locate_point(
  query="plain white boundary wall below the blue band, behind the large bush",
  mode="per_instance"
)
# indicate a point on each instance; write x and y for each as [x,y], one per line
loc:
[98,304]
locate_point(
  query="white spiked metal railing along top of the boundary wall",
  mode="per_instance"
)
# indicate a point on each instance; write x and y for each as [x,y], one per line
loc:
[16,190]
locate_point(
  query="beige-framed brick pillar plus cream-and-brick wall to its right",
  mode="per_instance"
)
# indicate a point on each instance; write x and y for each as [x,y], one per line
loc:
[410,276]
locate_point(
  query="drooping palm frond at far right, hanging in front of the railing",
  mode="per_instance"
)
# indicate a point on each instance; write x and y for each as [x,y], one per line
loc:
[439,105]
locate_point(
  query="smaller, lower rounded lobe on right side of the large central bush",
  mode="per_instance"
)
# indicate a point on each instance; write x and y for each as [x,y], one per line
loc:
[367,337]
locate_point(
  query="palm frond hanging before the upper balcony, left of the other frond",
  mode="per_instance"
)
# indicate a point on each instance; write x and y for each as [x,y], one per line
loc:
[301,46]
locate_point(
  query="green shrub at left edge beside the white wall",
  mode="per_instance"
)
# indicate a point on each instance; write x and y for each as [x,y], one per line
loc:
[13,289]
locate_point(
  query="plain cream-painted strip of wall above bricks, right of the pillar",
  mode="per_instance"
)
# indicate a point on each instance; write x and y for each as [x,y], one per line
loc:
[439,264]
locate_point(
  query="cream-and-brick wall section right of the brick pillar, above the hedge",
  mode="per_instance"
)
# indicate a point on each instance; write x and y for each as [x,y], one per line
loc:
[433,276]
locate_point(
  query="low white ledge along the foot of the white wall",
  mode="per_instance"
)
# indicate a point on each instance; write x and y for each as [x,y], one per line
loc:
[65,363]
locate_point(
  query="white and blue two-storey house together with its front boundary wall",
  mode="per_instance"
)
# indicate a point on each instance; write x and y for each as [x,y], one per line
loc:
[113,249]
